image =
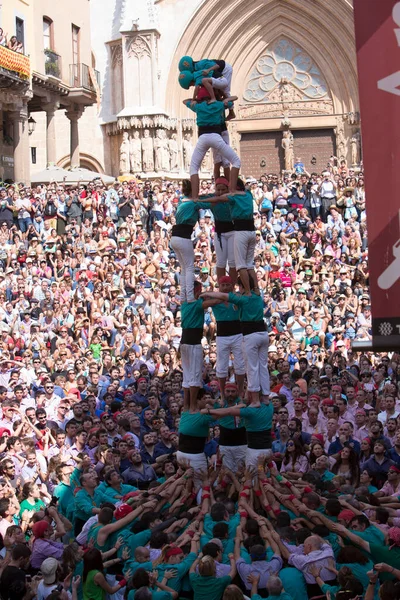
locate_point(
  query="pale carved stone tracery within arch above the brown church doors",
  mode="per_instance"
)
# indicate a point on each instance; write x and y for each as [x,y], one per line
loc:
[285,65]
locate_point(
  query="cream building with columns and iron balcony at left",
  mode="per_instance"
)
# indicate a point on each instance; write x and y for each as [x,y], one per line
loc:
[45,89]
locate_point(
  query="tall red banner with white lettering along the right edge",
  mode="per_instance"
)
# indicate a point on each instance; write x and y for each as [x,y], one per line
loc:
[377,24]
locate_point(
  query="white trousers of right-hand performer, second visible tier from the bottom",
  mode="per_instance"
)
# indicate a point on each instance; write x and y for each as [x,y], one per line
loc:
[256,352]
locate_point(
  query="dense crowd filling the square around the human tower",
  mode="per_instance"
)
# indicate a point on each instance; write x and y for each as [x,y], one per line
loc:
[92,501]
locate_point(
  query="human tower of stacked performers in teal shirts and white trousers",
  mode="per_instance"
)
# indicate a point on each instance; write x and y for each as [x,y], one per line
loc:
[241,330]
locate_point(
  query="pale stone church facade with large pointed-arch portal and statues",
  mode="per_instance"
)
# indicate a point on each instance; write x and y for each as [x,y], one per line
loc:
[294,66]
